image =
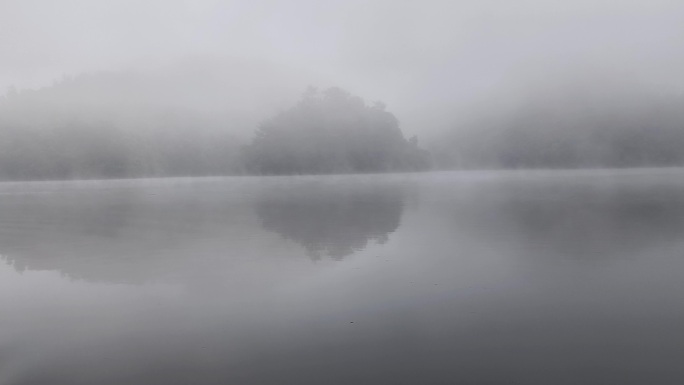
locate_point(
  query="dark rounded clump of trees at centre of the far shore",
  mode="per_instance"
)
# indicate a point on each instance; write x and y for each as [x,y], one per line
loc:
[332,132]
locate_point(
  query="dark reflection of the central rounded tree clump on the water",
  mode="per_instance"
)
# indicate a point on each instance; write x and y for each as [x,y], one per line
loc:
[332,219]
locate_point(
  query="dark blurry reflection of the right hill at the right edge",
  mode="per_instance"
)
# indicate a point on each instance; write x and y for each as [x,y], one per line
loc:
[600,227]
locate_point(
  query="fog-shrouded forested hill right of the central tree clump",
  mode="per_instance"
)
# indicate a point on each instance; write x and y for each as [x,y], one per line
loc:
[587,126]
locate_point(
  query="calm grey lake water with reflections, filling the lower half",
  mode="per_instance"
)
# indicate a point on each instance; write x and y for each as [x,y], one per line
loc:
[543,277]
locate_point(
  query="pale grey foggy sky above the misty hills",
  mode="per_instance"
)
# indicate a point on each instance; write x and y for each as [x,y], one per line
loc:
[434,56]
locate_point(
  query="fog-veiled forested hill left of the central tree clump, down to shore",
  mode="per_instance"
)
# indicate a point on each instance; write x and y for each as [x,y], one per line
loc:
[190,118]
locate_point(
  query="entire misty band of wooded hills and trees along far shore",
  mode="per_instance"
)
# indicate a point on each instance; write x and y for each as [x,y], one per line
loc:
[57,133]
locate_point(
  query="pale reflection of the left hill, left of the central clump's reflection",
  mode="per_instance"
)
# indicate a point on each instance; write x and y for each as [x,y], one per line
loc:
[127,232]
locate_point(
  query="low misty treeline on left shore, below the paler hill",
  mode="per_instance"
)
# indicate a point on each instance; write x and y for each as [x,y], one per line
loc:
[77,149]
